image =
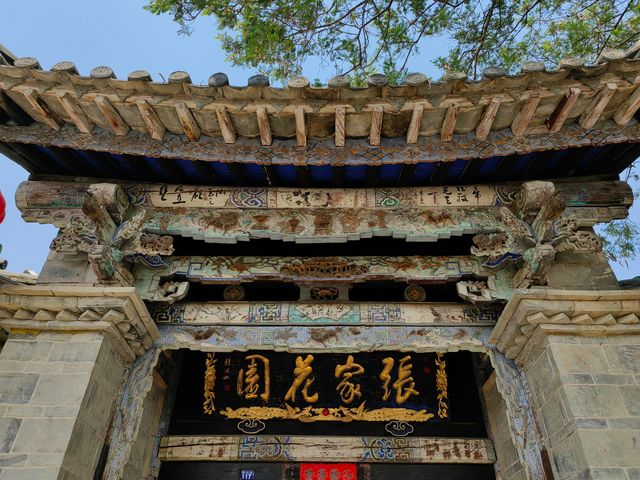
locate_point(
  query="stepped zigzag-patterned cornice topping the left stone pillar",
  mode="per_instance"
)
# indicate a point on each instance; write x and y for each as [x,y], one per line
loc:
[117,311]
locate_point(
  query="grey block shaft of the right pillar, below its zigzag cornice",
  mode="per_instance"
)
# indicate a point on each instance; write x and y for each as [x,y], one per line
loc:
[587,393]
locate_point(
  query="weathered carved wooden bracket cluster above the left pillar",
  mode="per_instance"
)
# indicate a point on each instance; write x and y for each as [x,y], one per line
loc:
[111,233]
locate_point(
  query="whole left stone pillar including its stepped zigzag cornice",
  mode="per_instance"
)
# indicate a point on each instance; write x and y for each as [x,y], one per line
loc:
[60,373]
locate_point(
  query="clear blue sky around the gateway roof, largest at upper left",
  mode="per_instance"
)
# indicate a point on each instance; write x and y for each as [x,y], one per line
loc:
[124,37]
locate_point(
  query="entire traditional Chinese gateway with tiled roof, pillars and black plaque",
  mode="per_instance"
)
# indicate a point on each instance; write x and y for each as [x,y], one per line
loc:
[321,283]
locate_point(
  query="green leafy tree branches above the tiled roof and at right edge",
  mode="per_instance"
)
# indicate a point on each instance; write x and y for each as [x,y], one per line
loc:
[360,37]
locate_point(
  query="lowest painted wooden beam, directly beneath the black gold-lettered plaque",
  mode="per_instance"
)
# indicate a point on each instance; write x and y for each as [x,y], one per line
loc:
[338,449]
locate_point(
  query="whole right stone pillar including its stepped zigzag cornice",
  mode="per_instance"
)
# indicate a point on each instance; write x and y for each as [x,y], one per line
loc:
[580,352]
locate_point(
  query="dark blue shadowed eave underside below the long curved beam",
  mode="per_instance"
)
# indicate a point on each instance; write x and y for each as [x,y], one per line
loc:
[605,159]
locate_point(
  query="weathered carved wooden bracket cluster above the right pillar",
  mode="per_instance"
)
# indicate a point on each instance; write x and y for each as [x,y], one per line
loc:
[530,234]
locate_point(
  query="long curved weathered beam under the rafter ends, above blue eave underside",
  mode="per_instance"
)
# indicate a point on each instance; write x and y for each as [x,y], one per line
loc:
[392,151]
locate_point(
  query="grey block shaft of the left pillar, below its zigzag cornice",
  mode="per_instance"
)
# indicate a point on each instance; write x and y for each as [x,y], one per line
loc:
[57,392]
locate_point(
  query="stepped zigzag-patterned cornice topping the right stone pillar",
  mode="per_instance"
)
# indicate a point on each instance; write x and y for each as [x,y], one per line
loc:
[532,314]
